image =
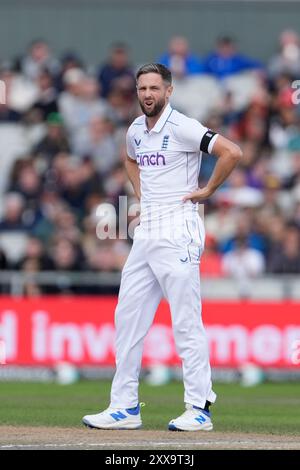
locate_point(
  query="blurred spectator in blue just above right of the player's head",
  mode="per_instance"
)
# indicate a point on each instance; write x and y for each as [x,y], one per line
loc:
[179,59]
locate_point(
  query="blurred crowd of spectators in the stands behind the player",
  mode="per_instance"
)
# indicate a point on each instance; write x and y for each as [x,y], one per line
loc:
[62,131]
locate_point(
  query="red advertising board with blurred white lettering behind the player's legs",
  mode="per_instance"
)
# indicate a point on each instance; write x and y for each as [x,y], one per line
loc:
[80,330]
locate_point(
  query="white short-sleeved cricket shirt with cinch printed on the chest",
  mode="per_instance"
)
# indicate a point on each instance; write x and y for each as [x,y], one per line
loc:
[169,159]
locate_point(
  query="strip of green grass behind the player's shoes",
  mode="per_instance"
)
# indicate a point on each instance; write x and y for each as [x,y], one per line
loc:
[267,408]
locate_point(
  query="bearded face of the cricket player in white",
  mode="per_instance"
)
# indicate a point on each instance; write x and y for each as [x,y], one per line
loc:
[153,93]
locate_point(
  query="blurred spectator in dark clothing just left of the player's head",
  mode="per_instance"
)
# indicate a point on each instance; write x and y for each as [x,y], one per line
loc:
[117,70]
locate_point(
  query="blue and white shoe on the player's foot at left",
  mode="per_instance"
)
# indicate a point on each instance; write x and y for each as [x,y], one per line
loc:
[115,418]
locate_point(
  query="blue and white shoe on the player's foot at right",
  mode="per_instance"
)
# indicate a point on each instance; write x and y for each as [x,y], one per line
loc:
[193,419]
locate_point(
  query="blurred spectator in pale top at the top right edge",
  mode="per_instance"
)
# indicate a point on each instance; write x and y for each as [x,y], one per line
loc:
[288,58]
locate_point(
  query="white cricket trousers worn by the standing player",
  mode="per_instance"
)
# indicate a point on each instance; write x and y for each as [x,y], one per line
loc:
[156,268]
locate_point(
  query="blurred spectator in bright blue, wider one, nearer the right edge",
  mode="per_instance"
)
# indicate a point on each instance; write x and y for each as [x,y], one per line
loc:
[226,60]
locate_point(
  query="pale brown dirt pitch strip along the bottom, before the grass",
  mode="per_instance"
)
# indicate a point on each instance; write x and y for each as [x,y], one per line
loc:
[38,438]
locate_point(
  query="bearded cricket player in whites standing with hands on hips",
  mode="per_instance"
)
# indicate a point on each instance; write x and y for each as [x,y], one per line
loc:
[164,157]
